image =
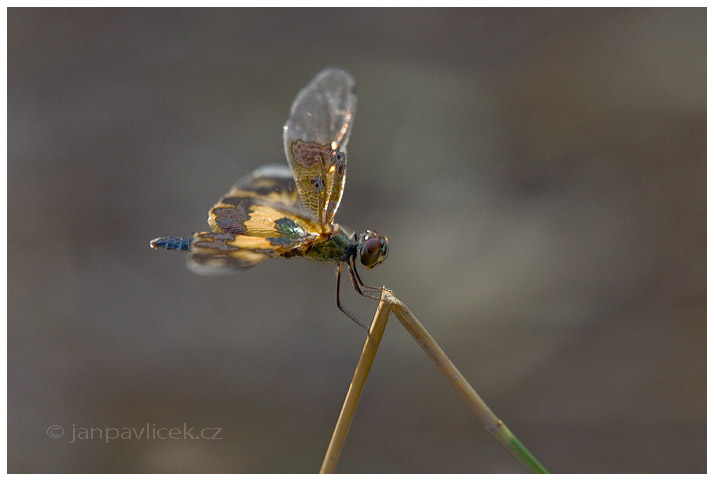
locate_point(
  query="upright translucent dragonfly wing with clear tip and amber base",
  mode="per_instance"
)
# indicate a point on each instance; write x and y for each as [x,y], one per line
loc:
[315,138]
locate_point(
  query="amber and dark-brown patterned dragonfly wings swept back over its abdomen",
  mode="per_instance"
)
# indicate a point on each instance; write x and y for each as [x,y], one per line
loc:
[259,218]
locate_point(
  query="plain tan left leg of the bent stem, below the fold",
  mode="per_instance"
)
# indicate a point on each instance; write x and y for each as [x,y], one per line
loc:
[349,407]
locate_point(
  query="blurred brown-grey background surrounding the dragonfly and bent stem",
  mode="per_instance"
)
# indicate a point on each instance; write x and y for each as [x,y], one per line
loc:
[541,177]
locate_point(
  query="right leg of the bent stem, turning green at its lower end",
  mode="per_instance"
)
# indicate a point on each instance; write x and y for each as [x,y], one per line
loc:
[493,425]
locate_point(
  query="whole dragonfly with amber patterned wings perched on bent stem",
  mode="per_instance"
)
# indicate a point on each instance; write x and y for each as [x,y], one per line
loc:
[289,210]
